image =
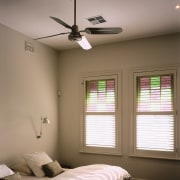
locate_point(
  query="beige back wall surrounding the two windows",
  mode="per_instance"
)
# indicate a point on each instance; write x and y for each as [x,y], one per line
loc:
[123,56]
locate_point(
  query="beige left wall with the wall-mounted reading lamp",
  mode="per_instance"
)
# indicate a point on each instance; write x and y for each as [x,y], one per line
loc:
[28,89]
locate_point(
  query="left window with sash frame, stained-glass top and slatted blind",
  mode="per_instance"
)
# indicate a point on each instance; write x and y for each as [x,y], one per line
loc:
[100,118]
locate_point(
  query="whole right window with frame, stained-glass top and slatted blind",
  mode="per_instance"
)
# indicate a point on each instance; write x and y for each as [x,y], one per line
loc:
[154,117]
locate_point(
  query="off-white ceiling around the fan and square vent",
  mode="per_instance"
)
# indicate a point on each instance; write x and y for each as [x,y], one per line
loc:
[138,18]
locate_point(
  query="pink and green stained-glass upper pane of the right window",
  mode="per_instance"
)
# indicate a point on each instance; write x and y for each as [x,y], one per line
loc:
[154,93]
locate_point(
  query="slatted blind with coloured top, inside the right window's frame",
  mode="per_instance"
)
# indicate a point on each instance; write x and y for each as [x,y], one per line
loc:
[154,113]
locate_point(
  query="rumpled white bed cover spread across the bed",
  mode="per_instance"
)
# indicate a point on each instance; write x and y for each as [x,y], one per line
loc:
[90,172]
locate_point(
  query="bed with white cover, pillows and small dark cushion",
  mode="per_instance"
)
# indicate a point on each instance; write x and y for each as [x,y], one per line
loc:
[39,166]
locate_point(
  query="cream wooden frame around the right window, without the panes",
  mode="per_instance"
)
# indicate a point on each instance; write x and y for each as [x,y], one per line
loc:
[151,153]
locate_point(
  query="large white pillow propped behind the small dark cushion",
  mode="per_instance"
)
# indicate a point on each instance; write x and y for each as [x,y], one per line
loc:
[36,160]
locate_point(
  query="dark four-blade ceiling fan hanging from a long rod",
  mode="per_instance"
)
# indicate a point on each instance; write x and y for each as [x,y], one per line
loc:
[75,35]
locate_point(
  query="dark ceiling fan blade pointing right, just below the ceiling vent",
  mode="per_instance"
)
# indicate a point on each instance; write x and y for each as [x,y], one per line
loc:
[111,30]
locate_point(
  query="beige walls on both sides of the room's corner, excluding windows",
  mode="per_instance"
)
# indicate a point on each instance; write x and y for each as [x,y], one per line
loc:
[28,89]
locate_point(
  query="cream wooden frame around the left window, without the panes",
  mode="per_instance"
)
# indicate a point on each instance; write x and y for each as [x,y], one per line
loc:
[102,150]
